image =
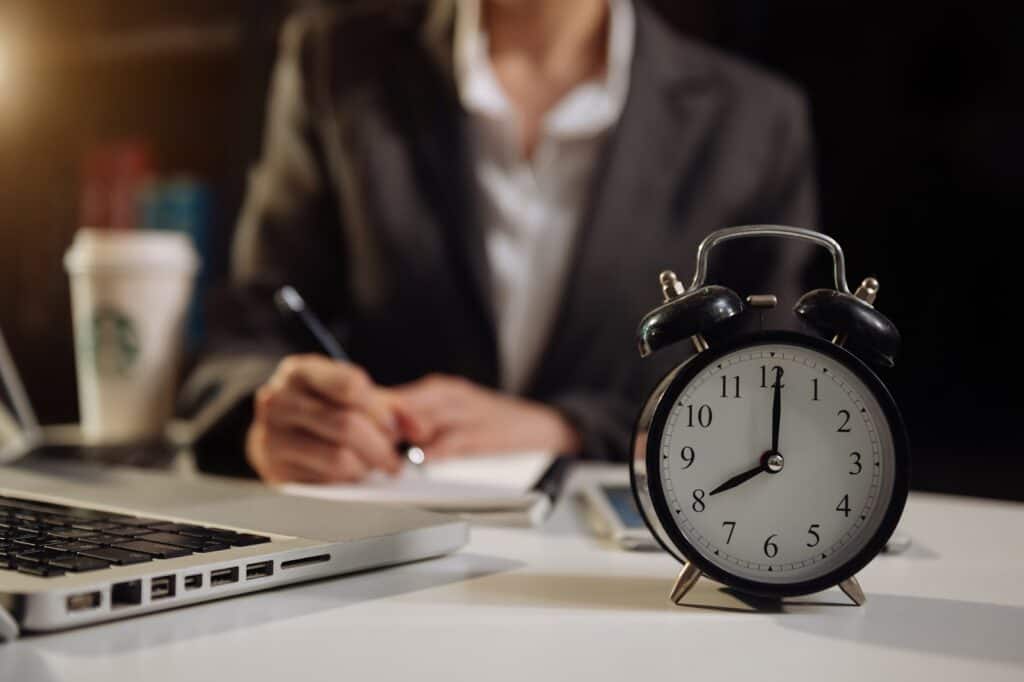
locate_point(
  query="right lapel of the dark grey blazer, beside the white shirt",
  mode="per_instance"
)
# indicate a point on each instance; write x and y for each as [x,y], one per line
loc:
[662,134]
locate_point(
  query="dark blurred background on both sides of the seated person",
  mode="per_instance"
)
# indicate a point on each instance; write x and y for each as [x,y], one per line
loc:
[918,110]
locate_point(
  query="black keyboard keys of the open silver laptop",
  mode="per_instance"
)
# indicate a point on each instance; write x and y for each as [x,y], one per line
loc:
[49,540]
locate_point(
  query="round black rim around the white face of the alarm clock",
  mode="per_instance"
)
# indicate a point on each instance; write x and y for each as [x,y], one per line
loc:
[687,373]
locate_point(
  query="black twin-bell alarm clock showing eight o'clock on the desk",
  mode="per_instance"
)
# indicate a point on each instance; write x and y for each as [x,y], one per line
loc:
[776,463]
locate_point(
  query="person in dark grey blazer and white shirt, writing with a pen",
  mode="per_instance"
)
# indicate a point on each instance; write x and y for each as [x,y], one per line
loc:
[479,197]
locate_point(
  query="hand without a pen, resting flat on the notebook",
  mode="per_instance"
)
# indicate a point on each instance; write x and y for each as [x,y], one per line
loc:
[451,416]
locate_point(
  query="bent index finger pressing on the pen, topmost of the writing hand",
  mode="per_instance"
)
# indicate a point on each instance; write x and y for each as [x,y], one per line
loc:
[345,385]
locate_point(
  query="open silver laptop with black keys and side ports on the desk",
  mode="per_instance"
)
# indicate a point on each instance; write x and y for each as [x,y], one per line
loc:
[81,544]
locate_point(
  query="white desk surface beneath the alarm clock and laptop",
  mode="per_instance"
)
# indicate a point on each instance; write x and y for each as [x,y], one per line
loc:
[558,605]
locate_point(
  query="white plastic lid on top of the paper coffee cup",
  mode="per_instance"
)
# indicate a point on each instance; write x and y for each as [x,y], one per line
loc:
[131,249]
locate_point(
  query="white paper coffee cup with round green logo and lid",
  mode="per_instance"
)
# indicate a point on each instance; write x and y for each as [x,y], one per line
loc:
[131,292]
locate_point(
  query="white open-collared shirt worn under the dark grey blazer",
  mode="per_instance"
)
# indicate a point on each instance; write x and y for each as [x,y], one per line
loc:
[530,210]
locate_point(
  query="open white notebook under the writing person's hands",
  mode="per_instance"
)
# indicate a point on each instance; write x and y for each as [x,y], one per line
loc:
[499,490]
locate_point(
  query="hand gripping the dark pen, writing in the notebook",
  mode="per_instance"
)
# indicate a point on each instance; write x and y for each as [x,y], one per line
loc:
[320,420]
